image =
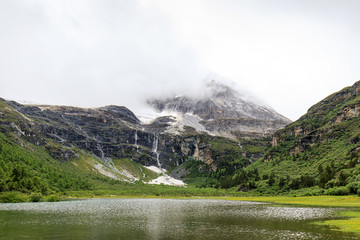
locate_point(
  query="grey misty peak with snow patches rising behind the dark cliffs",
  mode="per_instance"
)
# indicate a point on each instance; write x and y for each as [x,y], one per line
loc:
[220,110]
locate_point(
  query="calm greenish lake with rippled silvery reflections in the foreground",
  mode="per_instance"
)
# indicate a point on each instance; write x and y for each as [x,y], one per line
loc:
[163,219]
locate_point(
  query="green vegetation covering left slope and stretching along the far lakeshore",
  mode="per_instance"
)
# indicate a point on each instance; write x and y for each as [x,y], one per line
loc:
[30,174]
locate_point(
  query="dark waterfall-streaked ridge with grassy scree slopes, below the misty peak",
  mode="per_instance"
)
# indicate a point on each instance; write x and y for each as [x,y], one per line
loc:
[111,142]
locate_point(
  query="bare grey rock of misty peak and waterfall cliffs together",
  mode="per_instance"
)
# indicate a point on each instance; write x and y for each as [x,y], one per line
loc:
[114,132]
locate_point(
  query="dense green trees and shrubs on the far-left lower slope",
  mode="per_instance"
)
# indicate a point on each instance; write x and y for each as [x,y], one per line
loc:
[34,170]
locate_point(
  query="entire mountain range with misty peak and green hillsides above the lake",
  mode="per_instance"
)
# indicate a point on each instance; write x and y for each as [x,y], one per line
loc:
[59,148]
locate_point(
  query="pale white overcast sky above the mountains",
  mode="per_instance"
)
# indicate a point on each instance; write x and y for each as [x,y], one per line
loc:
[289,53]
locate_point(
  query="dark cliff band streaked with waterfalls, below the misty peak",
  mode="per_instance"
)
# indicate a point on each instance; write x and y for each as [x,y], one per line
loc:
[106,132]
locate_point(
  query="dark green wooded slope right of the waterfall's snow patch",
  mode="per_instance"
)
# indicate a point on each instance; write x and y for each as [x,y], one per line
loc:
[231,158]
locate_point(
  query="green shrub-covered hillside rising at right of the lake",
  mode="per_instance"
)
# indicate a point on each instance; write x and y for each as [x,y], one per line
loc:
[319,152]
